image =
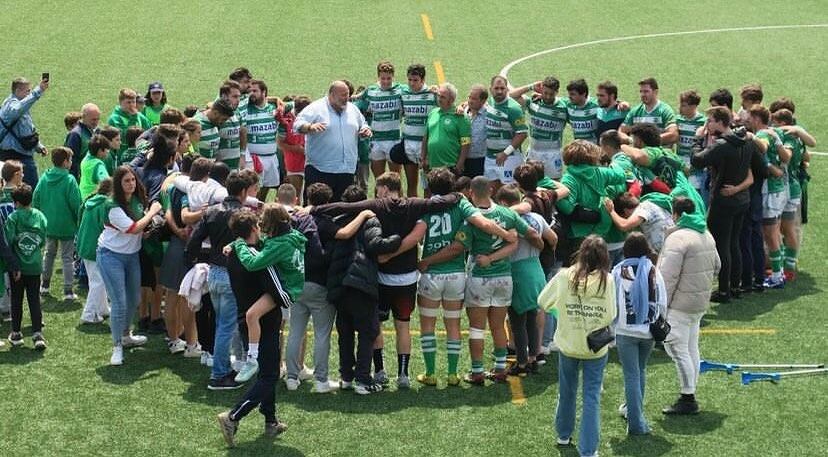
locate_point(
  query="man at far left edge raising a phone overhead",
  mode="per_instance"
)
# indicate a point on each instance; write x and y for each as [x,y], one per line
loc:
[18,136]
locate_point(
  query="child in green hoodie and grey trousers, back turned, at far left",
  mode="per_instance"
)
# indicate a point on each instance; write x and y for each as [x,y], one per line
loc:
[57,195]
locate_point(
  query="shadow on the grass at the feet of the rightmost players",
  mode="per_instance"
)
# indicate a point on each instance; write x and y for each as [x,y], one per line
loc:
[752,305]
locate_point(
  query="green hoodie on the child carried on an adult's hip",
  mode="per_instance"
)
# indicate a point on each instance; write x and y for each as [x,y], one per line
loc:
[284,252]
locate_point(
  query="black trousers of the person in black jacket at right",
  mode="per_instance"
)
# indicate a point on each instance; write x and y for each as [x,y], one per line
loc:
[725,224]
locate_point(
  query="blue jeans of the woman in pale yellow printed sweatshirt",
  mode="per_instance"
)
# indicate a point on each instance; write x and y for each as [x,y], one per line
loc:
[568,371]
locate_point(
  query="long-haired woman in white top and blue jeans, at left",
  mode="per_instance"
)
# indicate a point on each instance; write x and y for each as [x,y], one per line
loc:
[117,256]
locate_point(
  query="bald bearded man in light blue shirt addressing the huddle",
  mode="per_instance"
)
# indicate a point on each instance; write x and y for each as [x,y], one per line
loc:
[332,125]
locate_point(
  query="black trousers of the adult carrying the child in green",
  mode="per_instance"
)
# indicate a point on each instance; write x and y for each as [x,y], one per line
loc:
[263,392]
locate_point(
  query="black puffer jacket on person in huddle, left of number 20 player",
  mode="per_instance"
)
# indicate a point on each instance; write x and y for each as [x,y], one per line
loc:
[354,261]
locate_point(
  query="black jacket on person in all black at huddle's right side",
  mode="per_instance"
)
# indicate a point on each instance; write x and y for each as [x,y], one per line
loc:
[730,157]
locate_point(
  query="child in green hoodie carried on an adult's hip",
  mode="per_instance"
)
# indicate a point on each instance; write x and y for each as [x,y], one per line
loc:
[284,249]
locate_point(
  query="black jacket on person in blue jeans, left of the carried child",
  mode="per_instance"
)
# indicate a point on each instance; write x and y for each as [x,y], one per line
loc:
[215,226]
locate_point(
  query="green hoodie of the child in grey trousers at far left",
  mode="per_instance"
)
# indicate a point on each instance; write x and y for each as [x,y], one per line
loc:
[57,196]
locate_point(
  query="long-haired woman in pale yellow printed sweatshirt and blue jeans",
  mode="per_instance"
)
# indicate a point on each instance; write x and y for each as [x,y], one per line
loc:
[584,295]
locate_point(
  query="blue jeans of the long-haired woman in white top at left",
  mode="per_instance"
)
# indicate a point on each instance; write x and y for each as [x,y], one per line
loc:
[121,274]
